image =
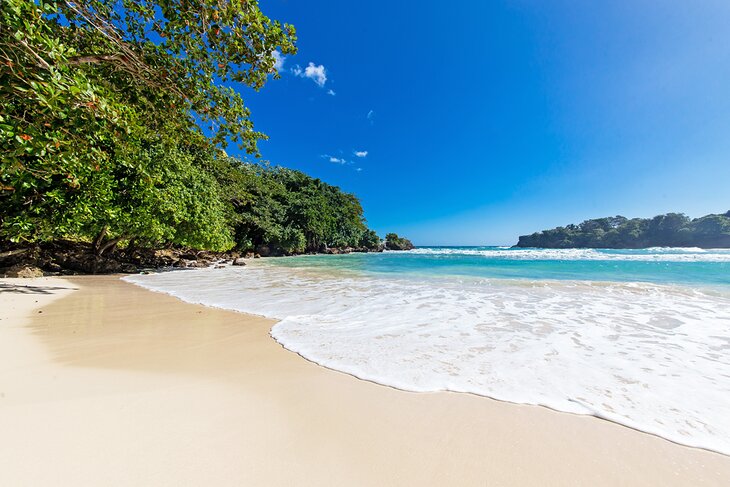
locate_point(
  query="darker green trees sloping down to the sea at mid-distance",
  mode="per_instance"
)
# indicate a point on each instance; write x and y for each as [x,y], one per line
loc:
[287,210]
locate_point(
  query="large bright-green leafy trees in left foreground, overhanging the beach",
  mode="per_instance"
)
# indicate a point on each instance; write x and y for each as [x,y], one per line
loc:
[88,89]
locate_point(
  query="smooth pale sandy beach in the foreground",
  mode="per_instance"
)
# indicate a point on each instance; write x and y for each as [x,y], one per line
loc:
[105,383]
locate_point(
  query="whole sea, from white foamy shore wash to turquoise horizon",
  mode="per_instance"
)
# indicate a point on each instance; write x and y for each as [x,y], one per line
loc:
[639,337]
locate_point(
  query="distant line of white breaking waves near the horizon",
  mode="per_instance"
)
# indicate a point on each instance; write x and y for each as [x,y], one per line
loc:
[661,254]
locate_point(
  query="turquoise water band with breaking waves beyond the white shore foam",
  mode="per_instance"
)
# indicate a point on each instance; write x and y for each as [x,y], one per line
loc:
[661,266]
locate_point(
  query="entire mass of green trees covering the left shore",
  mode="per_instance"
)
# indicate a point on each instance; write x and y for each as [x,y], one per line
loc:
[115,118]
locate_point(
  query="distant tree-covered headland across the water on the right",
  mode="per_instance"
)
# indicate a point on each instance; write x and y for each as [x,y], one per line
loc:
[670,230]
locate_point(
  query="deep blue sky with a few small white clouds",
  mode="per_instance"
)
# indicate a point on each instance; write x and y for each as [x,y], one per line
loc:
[485,120]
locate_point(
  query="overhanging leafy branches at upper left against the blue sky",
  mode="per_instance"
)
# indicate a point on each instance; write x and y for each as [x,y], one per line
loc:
[179,57]
